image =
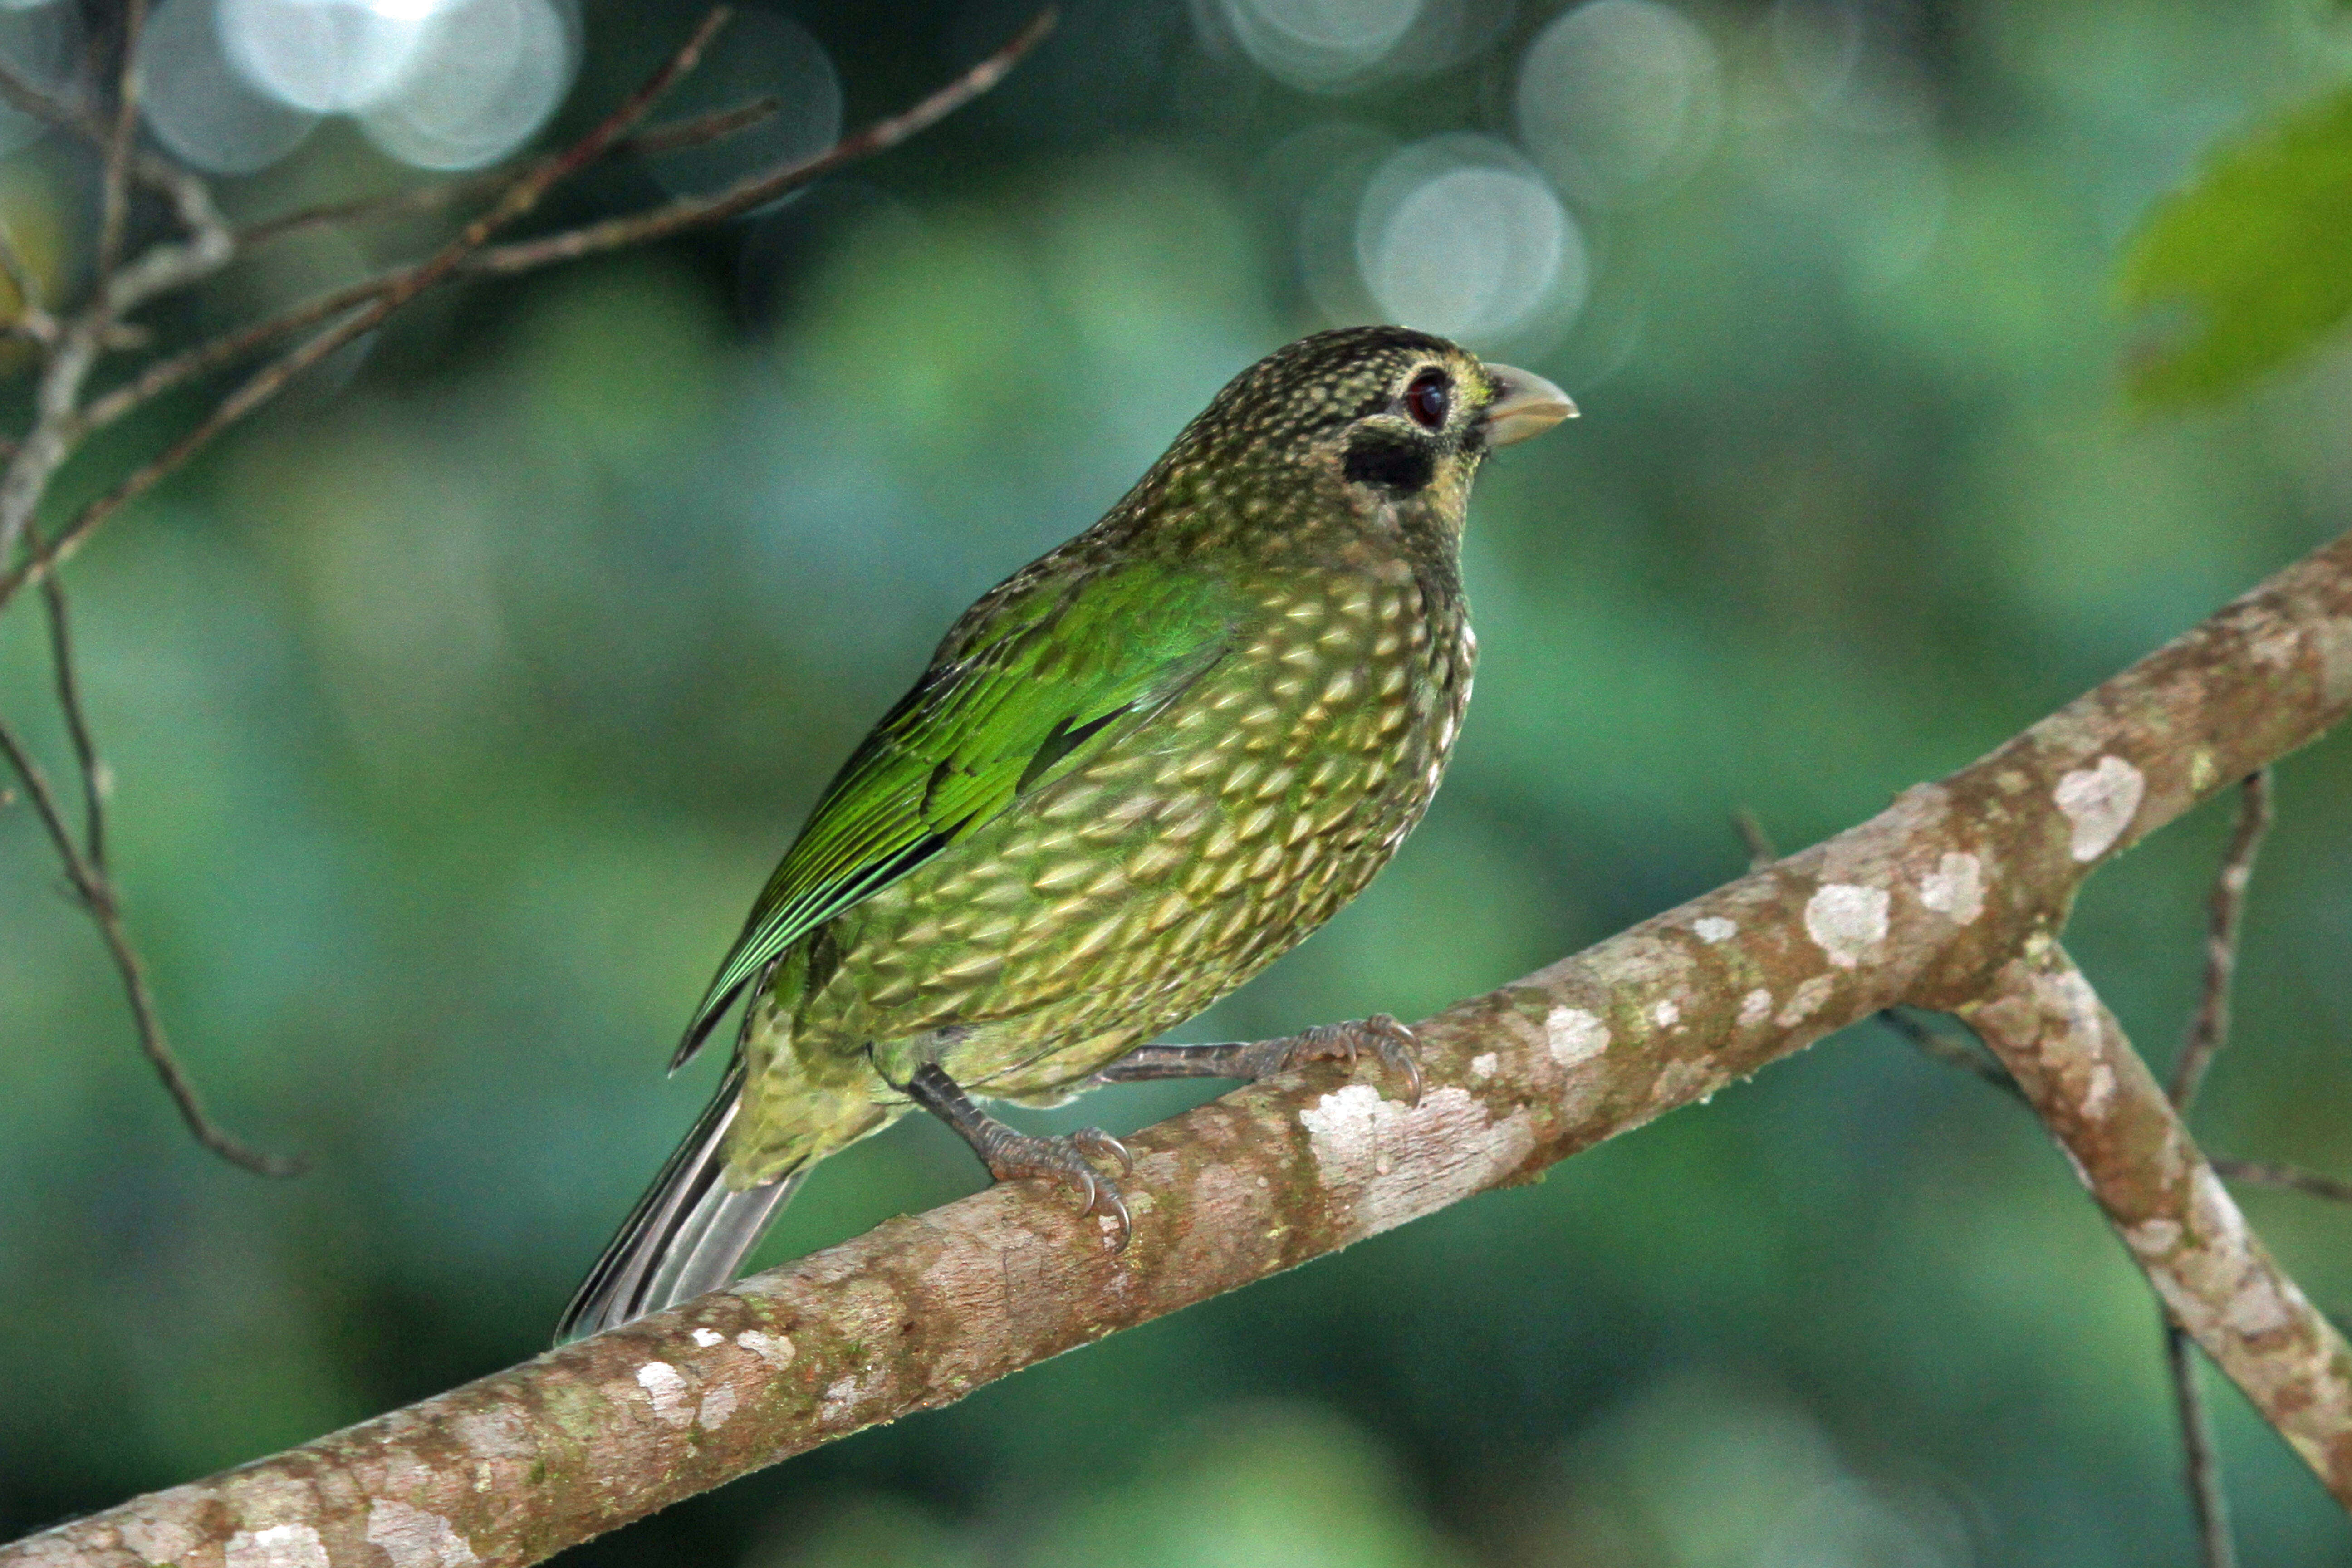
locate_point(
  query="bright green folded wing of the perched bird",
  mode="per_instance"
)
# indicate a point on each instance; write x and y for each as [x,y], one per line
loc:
[1029,688]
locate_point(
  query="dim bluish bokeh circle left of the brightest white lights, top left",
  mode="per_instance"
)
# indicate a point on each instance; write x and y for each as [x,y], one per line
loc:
[201,107]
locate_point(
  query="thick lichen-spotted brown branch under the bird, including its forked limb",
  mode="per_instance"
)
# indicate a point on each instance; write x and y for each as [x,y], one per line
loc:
[1951,899]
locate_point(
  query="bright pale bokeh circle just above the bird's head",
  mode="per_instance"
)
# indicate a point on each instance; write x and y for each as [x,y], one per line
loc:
[1464,239]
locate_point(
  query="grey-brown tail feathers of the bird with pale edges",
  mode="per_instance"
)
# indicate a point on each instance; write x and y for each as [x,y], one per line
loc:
[686,1235]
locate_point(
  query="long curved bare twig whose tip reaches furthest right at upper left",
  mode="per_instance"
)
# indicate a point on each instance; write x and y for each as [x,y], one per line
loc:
[610,234]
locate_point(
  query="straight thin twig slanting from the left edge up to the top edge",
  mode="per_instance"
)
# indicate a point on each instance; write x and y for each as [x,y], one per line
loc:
[274,380]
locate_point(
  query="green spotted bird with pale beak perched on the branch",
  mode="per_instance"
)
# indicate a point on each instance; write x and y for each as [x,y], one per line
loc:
[1132,777]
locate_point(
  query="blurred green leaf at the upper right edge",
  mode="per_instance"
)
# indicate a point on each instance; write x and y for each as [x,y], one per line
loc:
[2252,264]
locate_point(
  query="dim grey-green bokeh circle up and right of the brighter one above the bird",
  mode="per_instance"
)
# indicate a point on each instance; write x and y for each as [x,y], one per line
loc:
[1619,100]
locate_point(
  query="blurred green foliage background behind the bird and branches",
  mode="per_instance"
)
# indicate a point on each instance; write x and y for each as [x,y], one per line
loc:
[462,704]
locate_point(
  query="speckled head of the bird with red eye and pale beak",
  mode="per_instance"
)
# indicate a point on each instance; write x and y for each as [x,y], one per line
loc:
[1389,422]
